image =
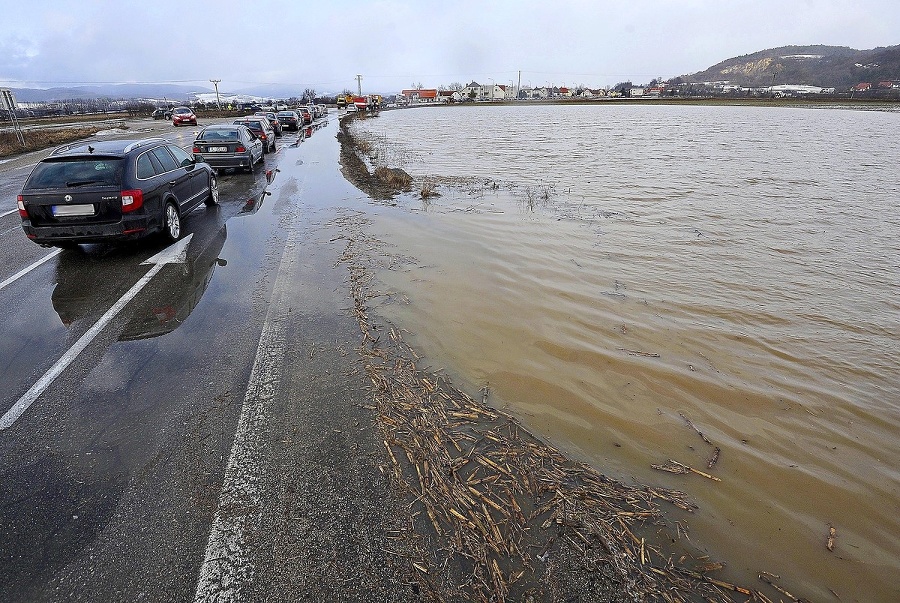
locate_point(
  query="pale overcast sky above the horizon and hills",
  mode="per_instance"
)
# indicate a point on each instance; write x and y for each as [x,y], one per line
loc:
[323,44]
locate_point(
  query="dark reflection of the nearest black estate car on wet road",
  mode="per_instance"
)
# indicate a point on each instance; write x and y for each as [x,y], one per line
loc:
[86,287]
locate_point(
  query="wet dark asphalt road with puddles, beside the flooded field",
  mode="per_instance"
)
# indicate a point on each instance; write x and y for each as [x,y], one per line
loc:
[112,474]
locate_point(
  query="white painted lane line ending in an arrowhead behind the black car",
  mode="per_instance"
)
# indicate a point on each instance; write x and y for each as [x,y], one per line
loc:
[174,253]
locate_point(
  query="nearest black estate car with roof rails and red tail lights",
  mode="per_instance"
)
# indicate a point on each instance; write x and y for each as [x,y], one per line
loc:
[113,190]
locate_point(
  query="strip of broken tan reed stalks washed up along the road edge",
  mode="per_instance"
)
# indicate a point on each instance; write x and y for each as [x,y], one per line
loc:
[500,515]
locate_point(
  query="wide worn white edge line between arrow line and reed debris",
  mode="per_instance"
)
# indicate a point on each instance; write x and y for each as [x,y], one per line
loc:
[227,569]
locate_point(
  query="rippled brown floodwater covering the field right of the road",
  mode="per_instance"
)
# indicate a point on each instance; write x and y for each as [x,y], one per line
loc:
[611,272]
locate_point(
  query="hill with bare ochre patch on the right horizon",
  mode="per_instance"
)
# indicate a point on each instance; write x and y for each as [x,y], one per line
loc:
[836,67]
